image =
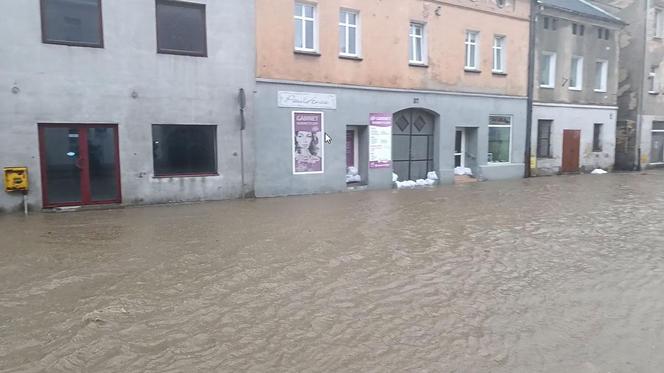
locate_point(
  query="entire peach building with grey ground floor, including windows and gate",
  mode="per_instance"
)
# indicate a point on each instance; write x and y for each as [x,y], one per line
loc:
[350,92]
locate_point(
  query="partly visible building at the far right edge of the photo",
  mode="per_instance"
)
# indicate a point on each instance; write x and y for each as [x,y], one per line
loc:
[641,100]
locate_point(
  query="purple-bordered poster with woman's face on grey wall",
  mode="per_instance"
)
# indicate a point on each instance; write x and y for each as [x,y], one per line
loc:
[307,142]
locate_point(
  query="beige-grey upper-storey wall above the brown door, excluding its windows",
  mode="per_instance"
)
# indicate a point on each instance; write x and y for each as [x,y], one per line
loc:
[566,45]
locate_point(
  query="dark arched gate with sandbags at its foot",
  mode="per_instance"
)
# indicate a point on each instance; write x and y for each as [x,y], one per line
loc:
[412,144]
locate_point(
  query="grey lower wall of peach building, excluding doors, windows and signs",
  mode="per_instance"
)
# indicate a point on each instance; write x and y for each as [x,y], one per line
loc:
[274,173]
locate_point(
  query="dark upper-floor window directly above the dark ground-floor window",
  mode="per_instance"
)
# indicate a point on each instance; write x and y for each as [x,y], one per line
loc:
[181,28]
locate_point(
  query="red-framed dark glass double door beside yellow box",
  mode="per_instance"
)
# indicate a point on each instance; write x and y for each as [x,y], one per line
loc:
[80,164]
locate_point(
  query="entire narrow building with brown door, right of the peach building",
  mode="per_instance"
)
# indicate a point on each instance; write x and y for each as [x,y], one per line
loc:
[575,94]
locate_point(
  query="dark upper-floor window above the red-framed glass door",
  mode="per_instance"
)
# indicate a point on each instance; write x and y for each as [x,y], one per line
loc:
[72,22]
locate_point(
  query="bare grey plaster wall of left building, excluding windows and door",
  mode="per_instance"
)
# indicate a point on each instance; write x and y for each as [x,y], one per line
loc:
[57,83]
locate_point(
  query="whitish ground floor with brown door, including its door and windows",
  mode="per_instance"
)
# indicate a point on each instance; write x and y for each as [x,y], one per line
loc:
[573,138]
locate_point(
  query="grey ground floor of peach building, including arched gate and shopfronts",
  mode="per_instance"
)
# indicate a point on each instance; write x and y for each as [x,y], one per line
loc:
[430,131]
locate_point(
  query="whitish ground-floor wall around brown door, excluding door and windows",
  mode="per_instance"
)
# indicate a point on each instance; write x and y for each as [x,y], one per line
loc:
[576,118]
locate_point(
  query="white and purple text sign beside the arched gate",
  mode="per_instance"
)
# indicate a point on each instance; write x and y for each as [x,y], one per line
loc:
[380,140]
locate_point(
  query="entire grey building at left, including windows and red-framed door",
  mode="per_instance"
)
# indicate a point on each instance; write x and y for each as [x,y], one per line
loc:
[126,101]
